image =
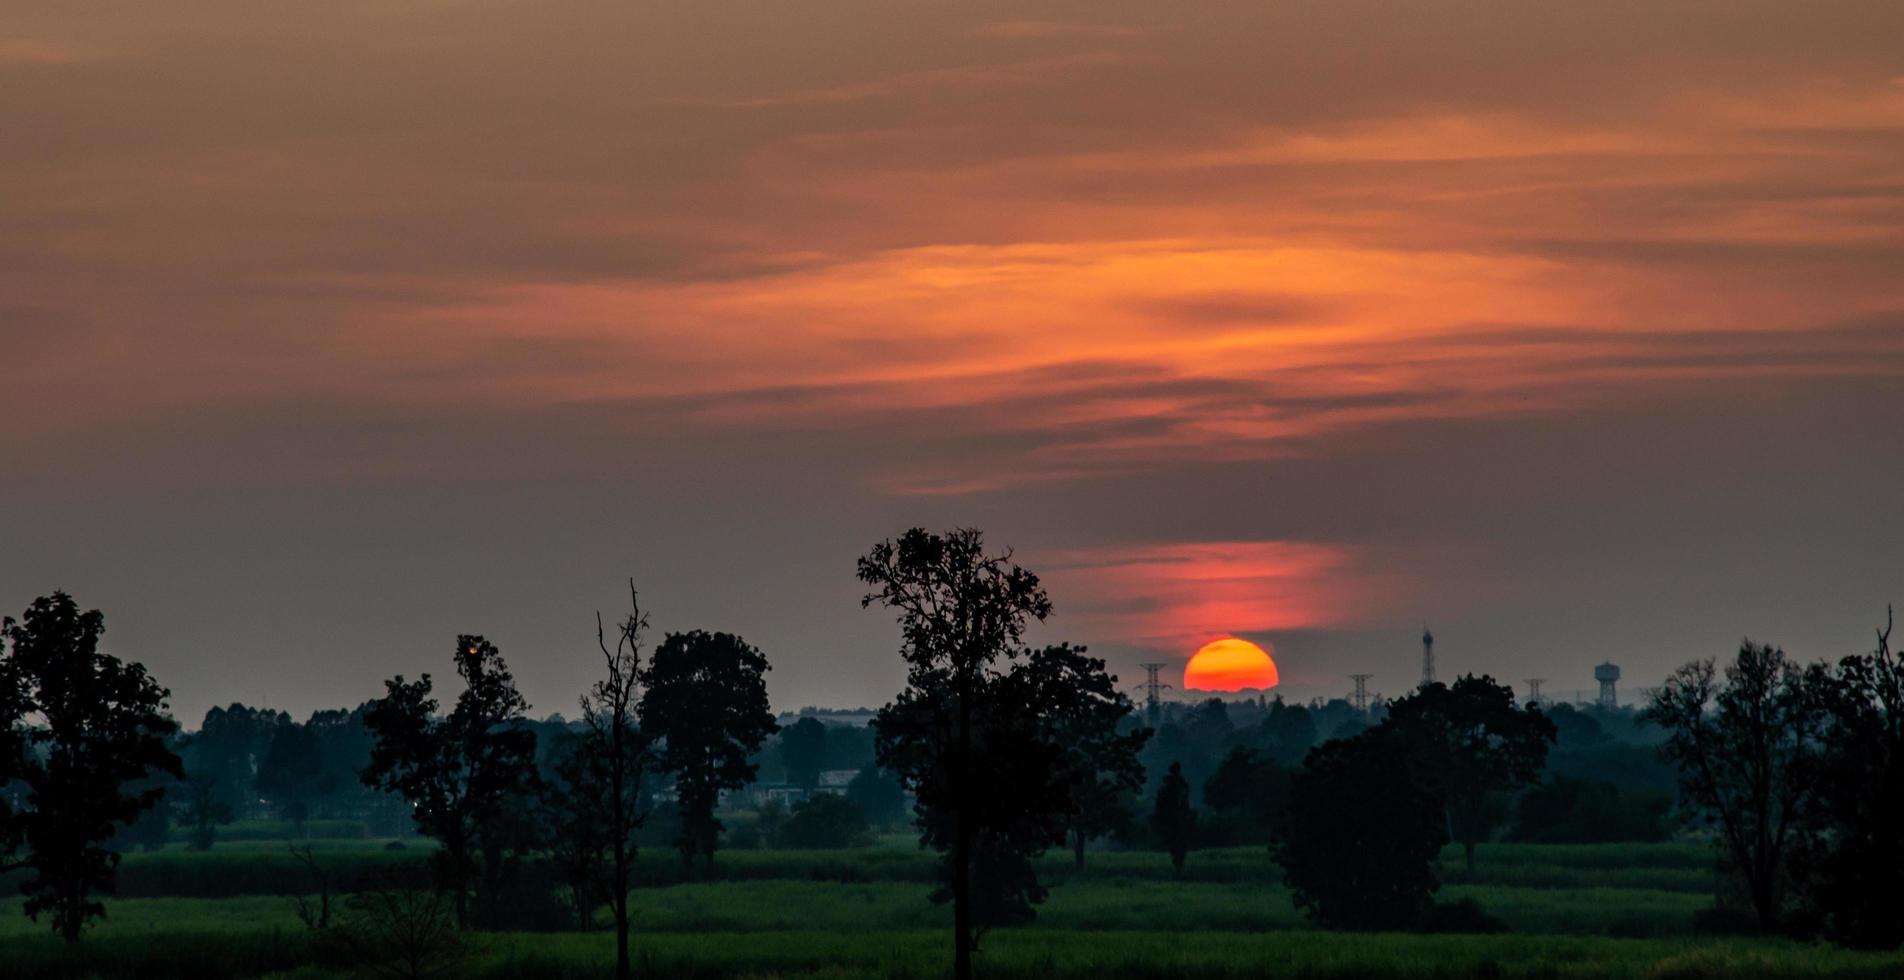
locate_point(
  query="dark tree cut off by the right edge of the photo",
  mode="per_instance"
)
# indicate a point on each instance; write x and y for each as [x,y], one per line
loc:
[1852,857]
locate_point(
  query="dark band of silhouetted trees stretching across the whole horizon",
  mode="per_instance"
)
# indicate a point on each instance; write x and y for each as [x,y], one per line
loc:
[995,751]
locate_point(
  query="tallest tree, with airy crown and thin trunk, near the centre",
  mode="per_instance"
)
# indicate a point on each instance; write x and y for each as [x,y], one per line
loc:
[961,612]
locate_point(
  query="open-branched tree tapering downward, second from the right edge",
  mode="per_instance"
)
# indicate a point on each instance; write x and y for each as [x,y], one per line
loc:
[1747,756]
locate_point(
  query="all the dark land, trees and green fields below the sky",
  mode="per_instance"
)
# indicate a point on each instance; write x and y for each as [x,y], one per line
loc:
[1010,800]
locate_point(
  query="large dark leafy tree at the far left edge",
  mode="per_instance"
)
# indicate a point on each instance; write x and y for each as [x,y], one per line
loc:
[85,735]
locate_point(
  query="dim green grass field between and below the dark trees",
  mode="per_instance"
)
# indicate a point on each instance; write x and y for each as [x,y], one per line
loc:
[1608,911]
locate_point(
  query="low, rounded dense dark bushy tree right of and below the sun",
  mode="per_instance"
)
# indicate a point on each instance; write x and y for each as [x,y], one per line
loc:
[1360,834]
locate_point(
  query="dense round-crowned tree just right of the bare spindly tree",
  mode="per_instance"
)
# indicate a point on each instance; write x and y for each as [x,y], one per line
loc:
[707,707]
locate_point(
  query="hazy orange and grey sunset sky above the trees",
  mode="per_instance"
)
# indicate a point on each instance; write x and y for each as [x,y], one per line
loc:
[334,330]
